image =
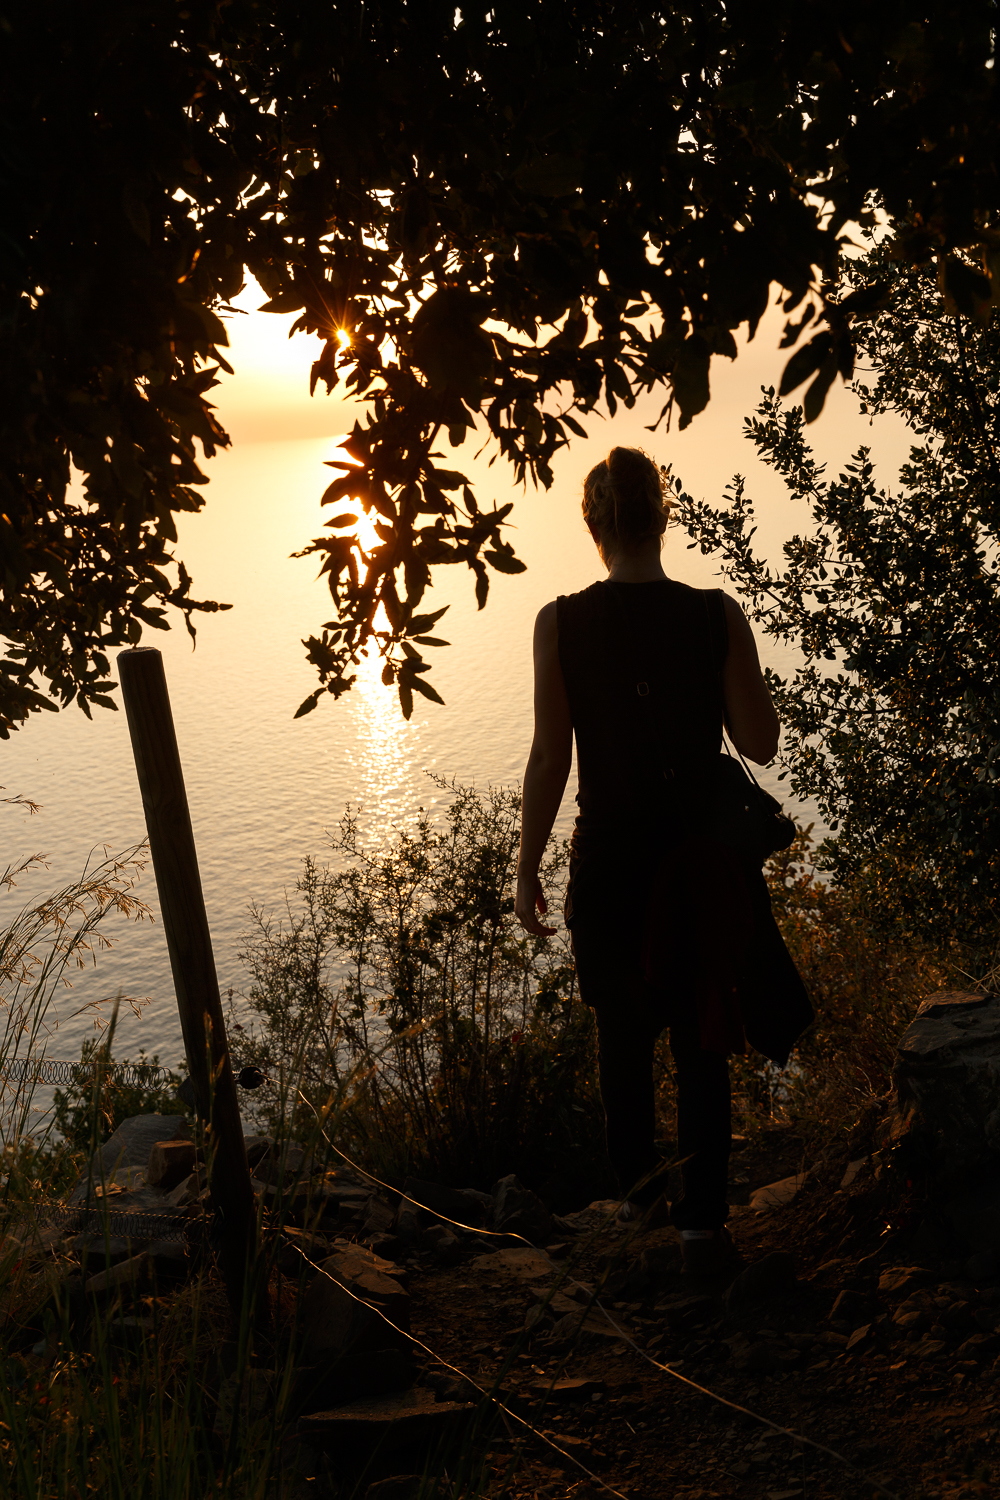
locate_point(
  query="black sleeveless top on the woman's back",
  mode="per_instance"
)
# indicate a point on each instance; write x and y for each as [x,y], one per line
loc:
[644,758]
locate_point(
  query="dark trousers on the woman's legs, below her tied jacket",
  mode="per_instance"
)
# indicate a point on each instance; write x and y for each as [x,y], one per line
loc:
[630,1018]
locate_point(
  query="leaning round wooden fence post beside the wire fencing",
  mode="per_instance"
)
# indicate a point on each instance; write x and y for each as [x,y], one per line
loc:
[191,958]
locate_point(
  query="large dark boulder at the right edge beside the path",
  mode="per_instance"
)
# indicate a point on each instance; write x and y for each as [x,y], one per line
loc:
[945,1081]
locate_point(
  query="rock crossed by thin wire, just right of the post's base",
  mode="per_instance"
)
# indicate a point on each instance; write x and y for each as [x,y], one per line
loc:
[335,1322]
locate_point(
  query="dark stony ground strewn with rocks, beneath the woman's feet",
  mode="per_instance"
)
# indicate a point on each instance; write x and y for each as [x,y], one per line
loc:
[836,1330]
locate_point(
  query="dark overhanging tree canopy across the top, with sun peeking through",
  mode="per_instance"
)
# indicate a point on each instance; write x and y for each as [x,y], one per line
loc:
[497,218]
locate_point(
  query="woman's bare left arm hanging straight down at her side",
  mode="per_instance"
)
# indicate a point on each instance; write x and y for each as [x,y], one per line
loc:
[546,772]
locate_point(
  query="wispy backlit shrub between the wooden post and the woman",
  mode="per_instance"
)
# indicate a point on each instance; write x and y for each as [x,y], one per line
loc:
[401,989]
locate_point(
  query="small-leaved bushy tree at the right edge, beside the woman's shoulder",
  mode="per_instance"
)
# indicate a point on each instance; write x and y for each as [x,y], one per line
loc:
[894,599]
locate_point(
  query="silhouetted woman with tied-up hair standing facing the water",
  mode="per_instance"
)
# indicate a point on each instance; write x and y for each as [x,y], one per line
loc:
[669,926]
